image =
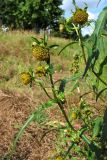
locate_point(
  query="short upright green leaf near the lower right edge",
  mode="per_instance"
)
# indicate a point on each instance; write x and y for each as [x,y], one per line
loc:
[97,126]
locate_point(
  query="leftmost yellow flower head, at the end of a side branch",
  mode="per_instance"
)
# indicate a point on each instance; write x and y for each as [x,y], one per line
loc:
[25,78]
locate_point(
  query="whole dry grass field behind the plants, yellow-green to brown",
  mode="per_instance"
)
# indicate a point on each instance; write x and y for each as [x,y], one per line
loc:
[18,101]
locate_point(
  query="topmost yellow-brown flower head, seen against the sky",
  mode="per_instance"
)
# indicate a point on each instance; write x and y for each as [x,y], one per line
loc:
[80,16]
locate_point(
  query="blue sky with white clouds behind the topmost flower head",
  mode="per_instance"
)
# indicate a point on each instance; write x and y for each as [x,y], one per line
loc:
[93,10]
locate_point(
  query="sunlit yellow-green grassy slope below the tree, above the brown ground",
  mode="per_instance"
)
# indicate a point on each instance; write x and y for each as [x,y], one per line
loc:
[16,57]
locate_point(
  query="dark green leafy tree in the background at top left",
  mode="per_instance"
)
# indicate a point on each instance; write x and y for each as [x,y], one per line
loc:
[28,14]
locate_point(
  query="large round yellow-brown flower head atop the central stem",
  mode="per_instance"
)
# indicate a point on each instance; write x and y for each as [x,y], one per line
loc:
[40,53]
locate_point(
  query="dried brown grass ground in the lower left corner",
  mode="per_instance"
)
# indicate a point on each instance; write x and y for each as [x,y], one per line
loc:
[14,110]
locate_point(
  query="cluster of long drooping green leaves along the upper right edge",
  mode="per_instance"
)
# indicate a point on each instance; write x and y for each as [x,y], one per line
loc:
[97,59]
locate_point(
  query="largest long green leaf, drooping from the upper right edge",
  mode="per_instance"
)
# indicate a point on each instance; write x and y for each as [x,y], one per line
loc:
[97,45]
